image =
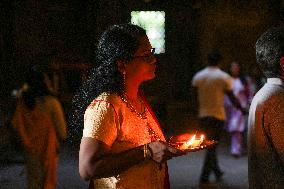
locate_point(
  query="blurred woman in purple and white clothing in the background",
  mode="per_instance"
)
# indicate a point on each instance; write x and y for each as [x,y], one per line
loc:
[243,89]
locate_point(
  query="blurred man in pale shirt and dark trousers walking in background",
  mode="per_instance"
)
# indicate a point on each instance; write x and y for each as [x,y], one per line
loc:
[210,86]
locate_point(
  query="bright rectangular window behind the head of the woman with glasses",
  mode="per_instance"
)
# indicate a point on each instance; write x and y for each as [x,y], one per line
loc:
[154,24]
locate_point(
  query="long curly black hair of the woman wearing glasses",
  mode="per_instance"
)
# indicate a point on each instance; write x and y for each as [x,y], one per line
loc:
[119,42]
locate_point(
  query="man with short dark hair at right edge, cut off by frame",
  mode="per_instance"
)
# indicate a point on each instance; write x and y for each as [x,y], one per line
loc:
[266,115]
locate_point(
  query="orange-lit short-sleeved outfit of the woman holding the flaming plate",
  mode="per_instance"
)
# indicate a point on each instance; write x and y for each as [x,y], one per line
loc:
[108,119]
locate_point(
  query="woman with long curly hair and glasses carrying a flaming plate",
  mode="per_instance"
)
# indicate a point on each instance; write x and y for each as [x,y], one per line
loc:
[123,145]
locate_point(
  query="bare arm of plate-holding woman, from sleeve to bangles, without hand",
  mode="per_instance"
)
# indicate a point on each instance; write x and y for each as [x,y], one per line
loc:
[95,161]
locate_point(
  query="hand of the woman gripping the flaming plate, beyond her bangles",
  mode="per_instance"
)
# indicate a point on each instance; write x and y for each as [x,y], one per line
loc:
[161,152]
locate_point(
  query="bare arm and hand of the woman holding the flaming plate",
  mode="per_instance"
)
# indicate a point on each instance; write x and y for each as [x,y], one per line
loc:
[95,161]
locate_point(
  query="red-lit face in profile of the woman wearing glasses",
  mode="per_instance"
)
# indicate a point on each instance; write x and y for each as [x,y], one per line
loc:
[142,67]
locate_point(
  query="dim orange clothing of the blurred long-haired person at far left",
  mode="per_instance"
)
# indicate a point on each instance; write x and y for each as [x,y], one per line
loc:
[39,132]
